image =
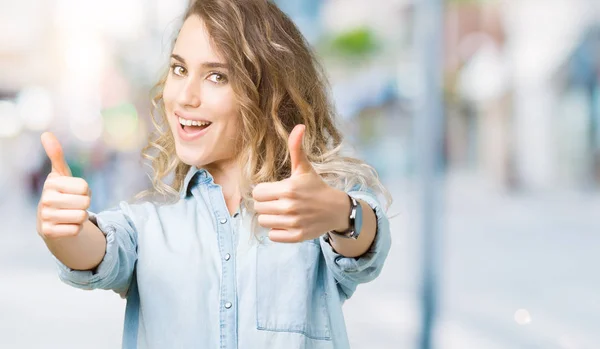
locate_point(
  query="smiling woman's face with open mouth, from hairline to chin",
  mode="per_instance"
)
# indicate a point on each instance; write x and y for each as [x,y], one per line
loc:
[198,94]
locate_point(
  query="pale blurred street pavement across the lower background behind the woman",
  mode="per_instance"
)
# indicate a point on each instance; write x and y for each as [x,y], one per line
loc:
[533,261]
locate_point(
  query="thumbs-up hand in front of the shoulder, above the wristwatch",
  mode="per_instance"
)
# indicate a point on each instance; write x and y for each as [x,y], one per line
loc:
[303,206]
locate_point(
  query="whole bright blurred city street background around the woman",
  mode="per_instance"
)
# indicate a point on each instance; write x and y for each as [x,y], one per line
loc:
[514,254]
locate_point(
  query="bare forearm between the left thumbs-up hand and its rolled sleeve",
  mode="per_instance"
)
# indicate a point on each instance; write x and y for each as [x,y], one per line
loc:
[82,252]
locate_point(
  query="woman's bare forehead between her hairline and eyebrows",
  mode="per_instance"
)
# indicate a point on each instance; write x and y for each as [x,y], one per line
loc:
[193,42]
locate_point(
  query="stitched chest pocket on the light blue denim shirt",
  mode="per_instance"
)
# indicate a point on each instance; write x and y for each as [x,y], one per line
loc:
[289,296]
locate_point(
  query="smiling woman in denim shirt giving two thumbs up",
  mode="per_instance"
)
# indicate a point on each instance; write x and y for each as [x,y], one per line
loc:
[270,229]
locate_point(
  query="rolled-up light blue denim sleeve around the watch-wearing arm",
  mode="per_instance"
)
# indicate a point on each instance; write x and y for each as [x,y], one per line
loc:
[351,271]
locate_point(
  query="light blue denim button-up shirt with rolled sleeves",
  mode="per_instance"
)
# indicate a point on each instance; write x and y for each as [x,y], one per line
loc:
[197,277]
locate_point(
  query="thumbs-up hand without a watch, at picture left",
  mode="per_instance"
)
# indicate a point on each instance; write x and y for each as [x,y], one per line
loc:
[63,205]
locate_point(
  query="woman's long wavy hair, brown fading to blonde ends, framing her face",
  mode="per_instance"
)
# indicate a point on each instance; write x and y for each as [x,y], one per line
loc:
[278,84]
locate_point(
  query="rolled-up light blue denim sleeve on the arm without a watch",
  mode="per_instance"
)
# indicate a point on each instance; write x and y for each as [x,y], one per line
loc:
[115,271]
